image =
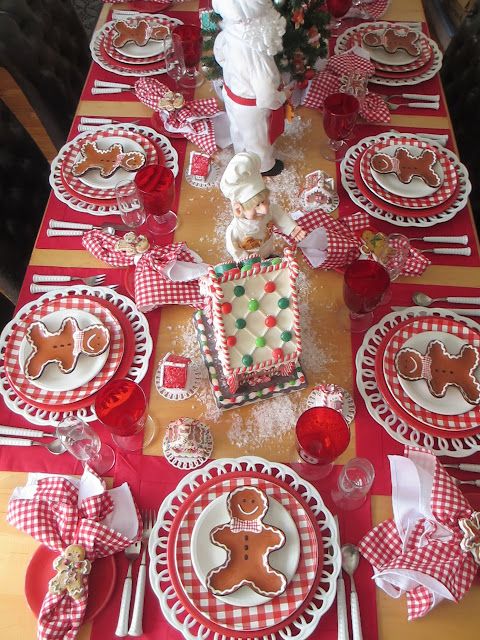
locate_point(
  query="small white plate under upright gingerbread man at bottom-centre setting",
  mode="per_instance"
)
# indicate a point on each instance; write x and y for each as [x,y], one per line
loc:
[207,556]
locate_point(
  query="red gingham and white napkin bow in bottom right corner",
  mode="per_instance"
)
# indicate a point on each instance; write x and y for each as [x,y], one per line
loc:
[419,552]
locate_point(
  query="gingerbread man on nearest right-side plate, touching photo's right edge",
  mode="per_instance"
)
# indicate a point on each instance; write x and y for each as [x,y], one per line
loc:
[441,369]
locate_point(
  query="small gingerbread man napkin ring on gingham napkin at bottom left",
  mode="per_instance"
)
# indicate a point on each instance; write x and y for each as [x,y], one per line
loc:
[71,568]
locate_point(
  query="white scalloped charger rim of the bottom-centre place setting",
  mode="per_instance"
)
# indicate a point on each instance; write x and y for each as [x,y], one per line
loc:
[174,611]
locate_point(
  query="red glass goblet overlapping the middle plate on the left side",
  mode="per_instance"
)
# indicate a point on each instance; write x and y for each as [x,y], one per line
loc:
[157,187]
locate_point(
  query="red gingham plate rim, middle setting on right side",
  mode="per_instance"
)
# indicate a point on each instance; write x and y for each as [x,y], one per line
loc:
[445,191]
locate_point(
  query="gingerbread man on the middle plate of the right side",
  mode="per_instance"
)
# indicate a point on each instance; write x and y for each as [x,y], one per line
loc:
[405,166]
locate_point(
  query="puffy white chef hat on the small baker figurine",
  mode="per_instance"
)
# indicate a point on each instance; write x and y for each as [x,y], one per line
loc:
[242,178]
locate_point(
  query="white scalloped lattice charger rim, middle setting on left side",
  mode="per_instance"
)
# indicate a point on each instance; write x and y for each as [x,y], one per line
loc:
[75,200]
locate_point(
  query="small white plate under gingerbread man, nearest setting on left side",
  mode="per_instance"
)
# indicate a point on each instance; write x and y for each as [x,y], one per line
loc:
[52,379]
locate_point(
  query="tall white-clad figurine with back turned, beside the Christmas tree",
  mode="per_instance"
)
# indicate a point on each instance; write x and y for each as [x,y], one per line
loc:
[251,34]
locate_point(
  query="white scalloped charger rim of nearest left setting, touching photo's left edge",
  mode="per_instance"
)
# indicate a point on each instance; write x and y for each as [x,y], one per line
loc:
[137,371]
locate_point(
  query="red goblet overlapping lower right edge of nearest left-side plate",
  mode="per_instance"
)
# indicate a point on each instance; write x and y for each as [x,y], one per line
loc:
[121,405]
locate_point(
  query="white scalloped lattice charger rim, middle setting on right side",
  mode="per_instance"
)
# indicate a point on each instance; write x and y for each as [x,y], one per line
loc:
[348,180]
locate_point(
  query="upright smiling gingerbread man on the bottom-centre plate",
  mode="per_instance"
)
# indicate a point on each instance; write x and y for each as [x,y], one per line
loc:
[248,543]
